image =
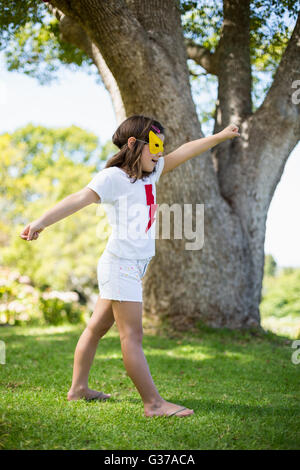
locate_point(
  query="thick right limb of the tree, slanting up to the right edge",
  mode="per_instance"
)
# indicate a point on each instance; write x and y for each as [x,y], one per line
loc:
[272,132]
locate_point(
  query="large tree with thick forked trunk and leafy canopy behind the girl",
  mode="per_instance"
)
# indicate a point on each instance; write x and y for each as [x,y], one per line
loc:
[142,52]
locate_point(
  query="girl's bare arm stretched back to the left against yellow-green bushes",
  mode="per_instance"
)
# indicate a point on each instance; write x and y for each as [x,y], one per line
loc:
[67,206]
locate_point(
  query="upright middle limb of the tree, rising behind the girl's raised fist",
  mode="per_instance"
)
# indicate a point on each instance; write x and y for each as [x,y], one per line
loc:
[234,104]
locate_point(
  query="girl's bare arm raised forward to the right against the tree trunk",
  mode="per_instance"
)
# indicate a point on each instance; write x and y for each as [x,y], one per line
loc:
[196,147]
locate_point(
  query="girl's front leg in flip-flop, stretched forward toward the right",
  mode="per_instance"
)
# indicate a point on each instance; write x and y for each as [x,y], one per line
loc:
[128,316]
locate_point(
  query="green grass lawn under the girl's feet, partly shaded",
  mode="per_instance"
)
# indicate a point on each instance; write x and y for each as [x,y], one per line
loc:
[244,390]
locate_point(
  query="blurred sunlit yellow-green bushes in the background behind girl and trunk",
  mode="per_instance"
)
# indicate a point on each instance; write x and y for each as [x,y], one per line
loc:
[54,280]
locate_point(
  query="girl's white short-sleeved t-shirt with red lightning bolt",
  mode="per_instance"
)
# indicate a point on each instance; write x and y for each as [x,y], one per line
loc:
[130,209]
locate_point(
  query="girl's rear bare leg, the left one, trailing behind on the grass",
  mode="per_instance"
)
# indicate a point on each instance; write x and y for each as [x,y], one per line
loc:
[100,322]
